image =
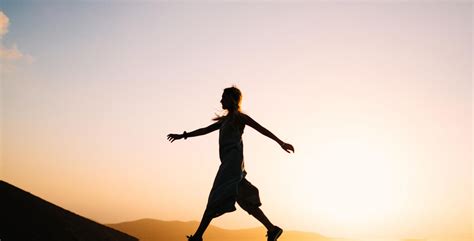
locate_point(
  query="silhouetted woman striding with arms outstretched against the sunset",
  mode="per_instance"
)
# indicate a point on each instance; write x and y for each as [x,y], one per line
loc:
[230,185]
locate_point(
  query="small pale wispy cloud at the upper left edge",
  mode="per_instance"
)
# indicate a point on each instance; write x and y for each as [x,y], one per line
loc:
[10,56]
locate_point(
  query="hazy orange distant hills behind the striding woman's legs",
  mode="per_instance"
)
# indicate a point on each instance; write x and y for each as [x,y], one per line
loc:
[156,230]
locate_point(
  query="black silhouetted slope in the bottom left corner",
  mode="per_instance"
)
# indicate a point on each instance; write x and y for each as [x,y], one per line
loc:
[25,217]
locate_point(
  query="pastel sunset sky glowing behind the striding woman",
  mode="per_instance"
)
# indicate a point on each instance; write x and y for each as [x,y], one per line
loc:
[375,96]
